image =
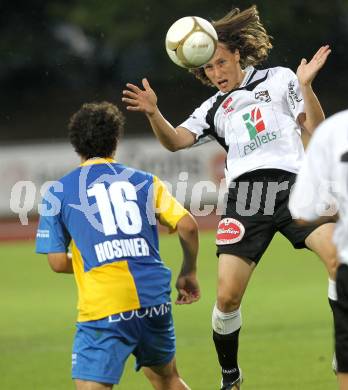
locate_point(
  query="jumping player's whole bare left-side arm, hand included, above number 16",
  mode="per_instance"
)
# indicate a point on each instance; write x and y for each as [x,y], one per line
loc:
[145,100]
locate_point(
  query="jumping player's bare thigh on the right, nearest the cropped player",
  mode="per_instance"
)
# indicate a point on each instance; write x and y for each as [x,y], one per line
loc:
[320,241]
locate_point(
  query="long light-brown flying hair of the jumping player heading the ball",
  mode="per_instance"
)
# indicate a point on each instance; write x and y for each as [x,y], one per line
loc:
[242,31]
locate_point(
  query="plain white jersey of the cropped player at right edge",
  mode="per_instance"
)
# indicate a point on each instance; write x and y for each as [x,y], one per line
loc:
[321,188]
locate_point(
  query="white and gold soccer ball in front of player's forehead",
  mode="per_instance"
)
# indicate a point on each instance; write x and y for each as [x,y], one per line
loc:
[191,42]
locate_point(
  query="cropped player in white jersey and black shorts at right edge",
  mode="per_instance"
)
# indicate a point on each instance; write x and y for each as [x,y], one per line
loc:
[323,177]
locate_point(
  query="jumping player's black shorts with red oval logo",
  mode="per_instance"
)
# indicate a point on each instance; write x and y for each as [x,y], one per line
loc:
[257,208]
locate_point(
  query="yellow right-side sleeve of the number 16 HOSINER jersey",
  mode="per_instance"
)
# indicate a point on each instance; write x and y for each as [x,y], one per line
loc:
[168,210]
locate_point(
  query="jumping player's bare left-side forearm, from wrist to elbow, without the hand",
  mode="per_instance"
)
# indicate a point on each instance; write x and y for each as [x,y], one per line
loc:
[169,137]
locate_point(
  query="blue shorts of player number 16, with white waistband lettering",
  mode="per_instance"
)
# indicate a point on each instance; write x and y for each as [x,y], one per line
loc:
[102,347]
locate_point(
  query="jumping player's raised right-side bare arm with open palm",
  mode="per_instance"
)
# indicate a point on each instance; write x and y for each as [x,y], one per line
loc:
[306,72]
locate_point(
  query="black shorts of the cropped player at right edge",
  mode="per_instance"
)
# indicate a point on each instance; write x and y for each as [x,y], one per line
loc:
[341,319]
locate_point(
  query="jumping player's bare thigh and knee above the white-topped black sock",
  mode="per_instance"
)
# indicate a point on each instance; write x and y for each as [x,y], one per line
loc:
[234,273]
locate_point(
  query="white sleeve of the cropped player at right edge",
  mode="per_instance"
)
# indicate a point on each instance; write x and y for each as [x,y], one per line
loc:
[312,185]
